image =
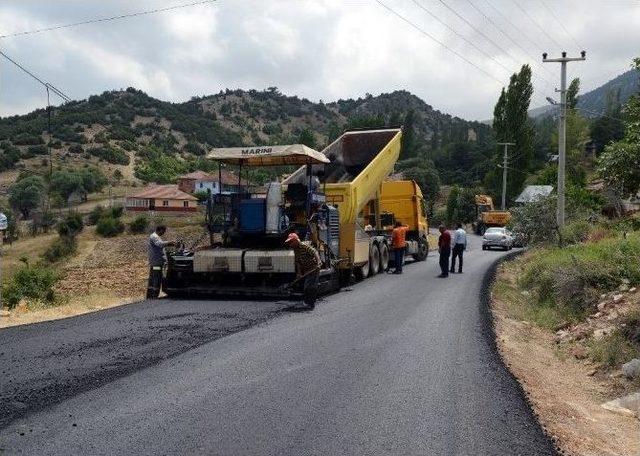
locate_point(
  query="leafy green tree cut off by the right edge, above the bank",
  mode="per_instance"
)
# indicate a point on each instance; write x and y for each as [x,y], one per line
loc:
[619,164]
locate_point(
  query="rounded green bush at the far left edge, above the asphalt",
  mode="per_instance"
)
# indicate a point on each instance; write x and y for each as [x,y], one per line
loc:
[31,282]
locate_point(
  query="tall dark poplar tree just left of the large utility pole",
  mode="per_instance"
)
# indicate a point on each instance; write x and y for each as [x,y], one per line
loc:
[511,123]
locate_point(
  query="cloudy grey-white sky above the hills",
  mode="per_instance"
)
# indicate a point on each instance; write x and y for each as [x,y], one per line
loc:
[454,54]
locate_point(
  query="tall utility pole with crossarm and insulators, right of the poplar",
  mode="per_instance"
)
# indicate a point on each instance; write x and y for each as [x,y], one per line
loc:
[562,127]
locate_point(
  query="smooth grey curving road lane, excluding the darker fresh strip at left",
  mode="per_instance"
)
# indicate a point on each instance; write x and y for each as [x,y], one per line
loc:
[398,365]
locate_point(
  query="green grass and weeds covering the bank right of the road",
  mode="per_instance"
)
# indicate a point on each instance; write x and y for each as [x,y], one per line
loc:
[554,288]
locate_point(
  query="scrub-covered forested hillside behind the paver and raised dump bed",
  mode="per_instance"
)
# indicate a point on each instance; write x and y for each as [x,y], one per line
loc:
[134,136]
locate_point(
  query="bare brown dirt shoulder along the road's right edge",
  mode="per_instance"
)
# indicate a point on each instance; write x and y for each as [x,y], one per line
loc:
[563,391]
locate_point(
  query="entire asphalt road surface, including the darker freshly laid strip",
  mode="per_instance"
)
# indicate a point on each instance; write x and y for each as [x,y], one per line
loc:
[398,365]
